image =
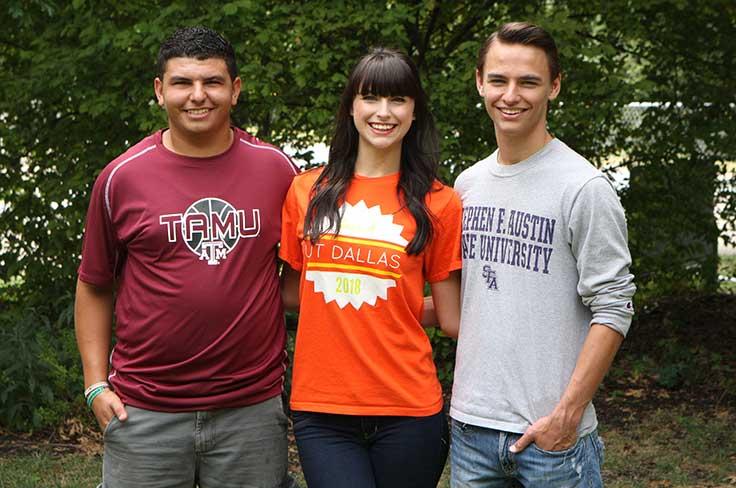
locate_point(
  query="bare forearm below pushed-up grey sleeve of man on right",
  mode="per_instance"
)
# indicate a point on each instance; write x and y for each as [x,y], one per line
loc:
[595,359]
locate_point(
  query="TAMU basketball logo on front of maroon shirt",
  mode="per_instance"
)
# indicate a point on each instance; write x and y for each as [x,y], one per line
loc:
[211,228]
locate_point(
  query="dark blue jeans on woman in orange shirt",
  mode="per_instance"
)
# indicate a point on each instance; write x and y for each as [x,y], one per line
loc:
[353,451]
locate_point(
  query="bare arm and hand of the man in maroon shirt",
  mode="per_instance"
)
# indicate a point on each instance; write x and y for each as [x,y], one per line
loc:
[93,307]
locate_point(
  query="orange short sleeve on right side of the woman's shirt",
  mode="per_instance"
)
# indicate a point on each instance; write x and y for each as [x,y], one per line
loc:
[442,255]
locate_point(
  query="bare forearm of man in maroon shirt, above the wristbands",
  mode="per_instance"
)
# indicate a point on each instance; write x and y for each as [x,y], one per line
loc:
[93,308]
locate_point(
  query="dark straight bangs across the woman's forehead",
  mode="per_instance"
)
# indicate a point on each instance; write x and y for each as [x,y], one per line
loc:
[385,74]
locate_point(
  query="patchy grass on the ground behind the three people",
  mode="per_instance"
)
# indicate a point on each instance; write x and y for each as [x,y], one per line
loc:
[666,448]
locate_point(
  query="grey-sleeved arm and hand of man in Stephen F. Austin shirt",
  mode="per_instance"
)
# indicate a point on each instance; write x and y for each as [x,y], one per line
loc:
[599,243]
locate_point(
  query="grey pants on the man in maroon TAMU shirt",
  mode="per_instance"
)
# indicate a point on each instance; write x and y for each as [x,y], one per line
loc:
[226,448]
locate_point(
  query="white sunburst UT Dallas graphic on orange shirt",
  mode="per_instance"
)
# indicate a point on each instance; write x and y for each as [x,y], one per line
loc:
[362,263]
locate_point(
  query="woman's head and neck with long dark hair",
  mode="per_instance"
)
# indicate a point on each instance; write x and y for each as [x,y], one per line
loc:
[384,88]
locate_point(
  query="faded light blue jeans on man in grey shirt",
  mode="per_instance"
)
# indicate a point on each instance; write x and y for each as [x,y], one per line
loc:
[480,458]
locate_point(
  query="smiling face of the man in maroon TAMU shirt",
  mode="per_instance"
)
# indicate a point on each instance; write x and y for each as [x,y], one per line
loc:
[197,95]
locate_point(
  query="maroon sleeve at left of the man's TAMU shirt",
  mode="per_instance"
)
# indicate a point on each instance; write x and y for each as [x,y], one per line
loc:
[101,250]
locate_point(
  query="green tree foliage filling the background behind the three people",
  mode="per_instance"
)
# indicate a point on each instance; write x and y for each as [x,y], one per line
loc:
[77,89]
